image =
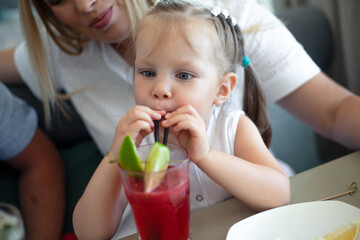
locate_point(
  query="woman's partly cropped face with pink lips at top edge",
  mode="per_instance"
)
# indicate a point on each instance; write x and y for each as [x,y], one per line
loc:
[102,20]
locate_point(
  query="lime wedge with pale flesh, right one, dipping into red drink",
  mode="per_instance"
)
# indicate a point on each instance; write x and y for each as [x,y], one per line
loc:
[157,161]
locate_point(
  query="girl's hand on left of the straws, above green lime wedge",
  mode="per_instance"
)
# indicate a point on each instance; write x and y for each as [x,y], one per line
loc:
[137,123]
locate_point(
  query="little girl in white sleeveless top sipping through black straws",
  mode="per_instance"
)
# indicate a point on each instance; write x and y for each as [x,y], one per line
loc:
[185,63]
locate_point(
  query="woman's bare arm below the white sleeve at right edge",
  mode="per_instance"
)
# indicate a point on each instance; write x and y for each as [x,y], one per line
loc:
[328,108]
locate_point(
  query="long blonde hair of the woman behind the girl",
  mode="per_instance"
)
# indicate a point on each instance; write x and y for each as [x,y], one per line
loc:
[67,39]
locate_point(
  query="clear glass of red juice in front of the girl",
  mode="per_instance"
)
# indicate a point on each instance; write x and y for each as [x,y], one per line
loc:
[164,212]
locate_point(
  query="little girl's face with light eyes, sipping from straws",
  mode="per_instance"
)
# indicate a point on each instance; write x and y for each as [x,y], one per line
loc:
[175,71]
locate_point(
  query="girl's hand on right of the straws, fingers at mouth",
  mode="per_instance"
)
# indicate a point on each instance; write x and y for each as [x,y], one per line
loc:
[189,128]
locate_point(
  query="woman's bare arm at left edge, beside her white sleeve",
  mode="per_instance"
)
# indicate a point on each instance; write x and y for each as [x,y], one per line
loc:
[8,71]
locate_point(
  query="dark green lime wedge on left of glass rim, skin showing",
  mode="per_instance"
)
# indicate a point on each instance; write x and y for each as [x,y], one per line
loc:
[129,158]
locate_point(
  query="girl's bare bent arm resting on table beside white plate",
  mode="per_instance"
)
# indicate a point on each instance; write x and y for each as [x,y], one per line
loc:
[253,174]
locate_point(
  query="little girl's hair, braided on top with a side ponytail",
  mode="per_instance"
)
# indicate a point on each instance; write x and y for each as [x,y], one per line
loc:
[229,52]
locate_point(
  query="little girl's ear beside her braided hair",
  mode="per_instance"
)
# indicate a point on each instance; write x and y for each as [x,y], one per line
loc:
[227,84]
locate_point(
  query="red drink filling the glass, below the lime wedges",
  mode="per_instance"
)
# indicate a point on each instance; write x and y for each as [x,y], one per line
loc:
[163,213]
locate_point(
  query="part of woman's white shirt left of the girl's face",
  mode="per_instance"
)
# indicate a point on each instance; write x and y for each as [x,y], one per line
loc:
[105,75]
